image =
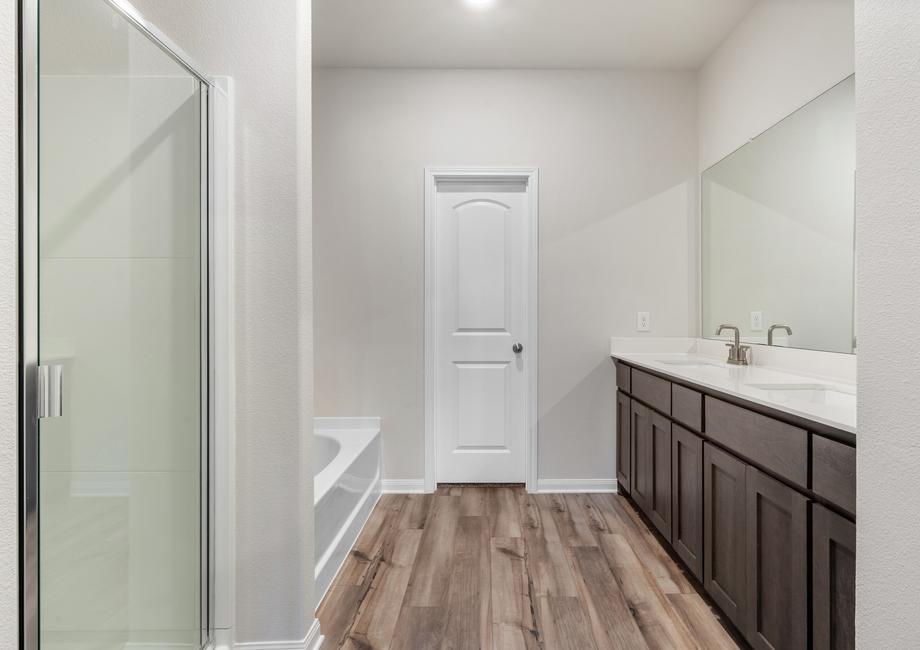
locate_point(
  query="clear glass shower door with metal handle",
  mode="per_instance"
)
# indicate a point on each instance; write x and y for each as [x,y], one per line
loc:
[121,294]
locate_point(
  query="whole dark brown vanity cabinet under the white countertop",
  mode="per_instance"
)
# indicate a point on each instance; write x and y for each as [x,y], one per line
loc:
[754,503]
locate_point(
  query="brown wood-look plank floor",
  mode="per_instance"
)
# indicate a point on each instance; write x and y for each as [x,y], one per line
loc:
[478,567]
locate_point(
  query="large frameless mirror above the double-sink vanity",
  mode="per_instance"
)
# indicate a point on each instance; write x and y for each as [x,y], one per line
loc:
[778,231]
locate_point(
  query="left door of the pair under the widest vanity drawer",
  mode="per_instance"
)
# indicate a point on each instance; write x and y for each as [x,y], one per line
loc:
[724,567]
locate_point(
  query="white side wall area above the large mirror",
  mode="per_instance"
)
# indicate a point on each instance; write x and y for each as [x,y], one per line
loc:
[783,54]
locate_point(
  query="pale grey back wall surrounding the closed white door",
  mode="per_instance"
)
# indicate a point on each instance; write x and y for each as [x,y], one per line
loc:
[617,157]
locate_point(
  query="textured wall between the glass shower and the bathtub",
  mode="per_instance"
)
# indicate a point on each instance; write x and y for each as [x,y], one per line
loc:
[267,53]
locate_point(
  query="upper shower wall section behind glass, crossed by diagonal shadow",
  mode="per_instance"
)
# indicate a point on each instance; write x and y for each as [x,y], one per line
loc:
[137,194]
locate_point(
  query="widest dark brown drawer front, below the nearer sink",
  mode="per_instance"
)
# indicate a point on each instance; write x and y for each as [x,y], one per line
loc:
[777,446]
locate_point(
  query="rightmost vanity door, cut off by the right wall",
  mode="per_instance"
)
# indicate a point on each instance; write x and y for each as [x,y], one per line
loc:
[833,580]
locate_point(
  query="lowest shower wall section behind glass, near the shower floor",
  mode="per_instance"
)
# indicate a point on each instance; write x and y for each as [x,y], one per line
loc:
[127,542]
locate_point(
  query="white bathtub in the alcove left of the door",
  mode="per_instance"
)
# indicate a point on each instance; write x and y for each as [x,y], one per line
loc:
[346,486]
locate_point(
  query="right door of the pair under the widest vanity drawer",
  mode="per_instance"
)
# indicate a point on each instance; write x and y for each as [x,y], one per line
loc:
[777,564]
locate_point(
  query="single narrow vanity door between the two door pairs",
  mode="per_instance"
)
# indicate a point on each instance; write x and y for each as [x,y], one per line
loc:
[687,498]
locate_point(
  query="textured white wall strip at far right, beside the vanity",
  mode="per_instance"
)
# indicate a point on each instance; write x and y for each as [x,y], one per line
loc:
[888,265]
